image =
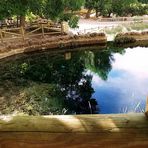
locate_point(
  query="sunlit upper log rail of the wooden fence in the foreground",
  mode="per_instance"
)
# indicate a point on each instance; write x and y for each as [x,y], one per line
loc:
[75,124]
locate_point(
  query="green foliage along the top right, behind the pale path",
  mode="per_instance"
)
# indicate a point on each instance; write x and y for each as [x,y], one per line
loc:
[118,7]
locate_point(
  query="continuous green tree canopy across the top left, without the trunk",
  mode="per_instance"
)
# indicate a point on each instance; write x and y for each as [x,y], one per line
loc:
[51,9]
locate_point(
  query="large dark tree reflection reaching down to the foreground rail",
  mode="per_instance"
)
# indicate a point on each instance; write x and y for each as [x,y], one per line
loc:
[69,77]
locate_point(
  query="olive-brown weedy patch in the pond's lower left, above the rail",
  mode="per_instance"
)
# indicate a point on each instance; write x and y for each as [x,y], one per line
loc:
[33,99]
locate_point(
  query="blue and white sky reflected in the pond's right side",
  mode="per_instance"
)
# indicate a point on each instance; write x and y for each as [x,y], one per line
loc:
[127,86]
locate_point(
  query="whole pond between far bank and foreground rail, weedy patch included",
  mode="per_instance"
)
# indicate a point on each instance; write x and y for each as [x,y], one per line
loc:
[110,80]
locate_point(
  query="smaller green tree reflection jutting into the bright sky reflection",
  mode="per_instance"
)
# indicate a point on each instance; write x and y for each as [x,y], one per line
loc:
[100,62]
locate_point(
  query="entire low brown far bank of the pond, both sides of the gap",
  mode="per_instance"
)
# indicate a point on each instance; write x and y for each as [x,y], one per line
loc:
[128,39]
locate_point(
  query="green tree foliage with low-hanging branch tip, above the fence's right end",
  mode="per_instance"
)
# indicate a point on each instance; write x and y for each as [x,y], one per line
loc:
[62,10]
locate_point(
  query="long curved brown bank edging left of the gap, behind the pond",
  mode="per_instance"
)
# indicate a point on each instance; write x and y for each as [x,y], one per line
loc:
[58,42]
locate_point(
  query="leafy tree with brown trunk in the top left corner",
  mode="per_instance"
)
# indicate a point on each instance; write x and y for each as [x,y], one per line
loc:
[19,8]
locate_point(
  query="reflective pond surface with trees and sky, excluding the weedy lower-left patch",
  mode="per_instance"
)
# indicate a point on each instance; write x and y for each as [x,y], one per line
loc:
[114,78]
